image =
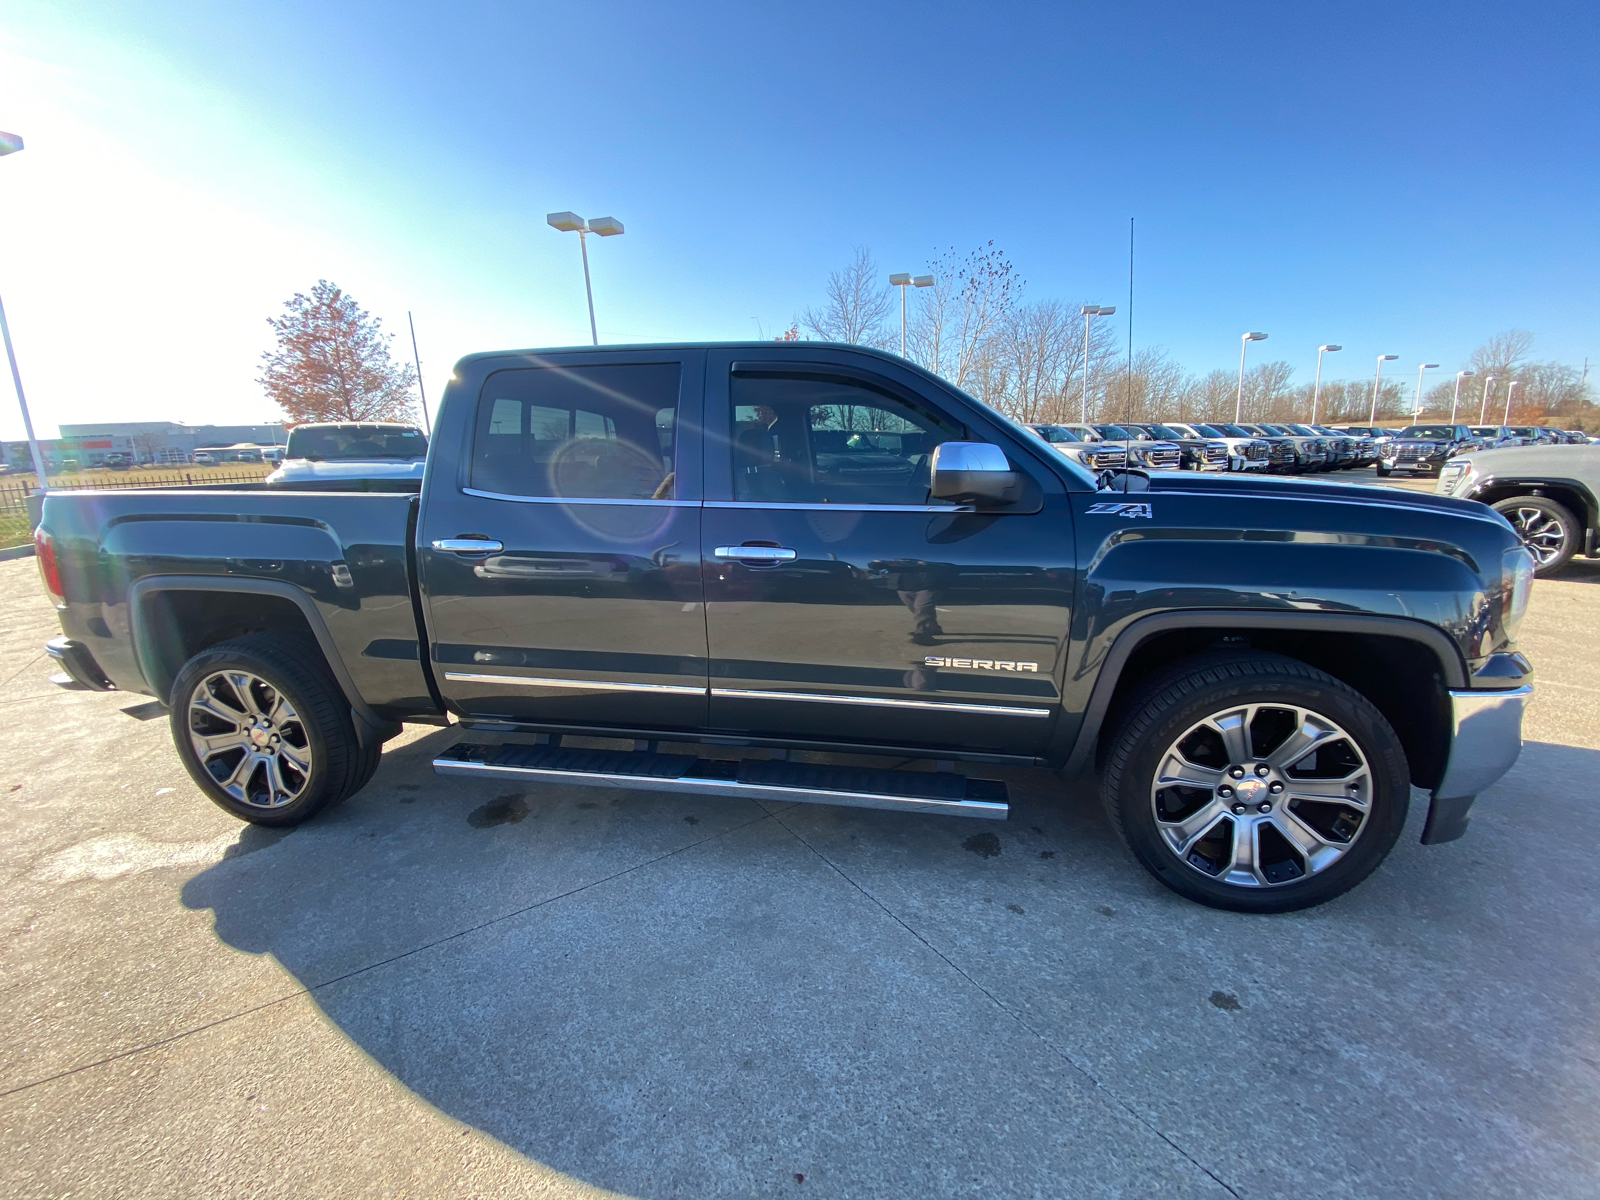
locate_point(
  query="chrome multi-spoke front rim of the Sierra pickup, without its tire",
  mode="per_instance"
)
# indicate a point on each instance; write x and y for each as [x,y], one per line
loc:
[1262,796]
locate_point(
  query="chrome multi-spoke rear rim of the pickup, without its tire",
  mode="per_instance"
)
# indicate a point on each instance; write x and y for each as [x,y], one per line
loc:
[250,740]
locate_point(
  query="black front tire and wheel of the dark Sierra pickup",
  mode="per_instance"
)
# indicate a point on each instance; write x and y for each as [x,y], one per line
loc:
[1172,710]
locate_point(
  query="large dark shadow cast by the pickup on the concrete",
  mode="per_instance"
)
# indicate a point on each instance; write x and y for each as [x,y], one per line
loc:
[673,996]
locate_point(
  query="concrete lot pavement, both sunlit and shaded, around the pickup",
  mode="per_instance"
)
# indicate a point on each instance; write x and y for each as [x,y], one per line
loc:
[447,988]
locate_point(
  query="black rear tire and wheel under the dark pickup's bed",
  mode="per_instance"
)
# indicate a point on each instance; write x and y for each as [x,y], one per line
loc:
[318,732]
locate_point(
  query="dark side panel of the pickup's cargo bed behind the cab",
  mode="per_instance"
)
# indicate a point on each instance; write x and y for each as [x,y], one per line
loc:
[132,564]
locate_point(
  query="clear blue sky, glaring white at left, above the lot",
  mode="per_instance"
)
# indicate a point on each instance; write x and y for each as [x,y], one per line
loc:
[1394,178]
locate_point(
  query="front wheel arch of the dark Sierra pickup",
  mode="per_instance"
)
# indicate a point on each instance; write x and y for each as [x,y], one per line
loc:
[1404,668]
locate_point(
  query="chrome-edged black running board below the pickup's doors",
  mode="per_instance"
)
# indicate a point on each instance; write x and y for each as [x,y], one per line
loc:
[737,778]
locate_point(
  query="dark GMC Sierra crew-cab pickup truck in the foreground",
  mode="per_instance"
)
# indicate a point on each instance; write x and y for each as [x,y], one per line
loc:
[662,553]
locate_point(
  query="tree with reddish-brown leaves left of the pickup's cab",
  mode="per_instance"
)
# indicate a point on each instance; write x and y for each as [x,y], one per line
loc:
[332,362]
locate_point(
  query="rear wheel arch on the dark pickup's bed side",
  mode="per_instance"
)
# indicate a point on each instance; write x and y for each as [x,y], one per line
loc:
[174,618]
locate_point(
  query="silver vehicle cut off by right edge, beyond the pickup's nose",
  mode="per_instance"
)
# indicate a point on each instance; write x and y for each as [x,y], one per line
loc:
[1551,497]
